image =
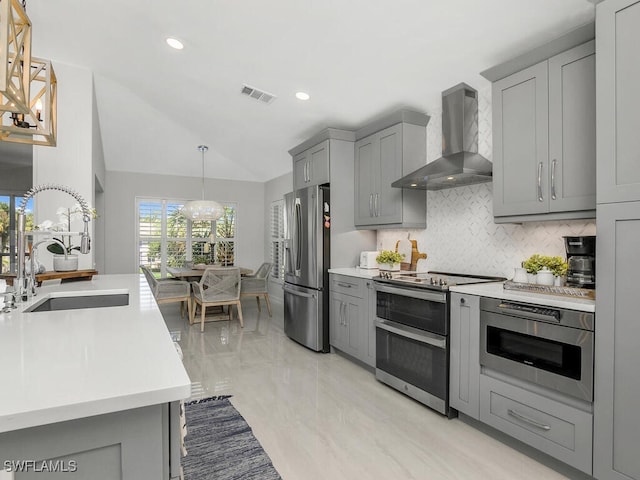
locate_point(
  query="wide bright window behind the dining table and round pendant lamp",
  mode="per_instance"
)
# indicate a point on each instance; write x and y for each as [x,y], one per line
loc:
[167,239]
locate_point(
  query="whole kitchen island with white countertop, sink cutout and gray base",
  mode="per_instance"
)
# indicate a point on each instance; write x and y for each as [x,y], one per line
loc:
[92,386]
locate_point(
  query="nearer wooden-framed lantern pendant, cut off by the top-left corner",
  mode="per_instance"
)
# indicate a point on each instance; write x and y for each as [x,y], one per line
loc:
[15,57]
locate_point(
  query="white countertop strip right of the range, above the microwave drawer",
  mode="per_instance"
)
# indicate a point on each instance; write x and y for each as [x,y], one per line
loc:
[495,290]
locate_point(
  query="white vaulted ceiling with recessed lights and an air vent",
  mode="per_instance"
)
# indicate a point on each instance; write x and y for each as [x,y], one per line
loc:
[356,58]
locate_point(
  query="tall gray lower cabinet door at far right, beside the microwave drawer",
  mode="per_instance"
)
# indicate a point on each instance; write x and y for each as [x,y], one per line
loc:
[617,383]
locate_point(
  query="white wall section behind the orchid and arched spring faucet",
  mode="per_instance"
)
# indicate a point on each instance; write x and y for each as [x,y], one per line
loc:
[71,163]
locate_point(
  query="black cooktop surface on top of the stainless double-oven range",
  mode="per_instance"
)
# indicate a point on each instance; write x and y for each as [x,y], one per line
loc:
[433,280]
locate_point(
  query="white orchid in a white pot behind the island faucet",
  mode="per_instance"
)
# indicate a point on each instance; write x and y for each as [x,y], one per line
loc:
[63,258]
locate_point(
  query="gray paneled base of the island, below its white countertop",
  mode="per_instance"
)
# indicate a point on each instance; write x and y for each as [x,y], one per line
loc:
[131,444]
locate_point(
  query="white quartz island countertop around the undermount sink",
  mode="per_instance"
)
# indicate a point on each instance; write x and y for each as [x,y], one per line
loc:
[63,365]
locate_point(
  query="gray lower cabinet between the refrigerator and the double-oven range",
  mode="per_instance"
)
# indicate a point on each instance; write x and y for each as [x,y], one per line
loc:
[350,321]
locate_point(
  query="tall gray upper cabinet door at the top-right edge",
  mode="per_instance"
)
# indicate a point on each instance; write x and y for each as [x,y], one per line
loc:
[618,77]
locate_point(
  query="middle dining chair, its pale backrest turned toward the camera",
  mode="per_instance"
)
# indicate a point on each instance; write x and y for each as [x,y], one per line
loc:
[218,286]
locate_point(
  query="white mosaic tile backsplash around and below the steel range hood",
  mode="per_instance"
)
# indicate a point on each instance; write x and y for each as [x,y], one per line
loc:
[461,235]
